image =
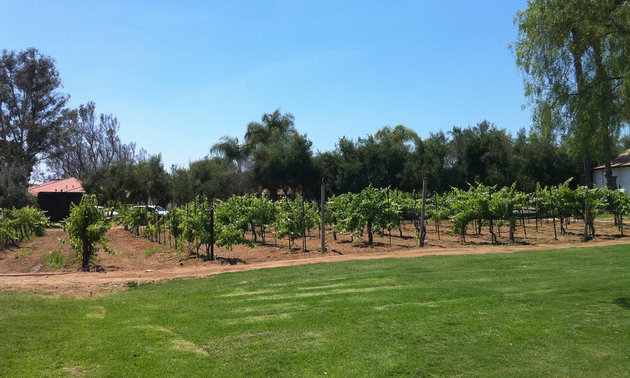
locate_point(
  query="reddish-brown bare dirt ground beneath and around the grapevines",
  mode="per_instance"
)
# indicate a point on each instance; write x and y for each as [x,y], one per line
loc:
[23,268]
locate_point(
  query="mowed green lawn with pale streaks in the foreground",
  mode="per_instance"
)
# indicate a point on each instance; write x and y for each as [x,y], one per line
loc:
[559,313]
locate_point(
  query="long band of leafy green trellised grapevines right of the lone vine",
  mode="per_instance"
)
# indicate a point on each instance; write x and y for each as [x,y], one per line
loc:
[373,211]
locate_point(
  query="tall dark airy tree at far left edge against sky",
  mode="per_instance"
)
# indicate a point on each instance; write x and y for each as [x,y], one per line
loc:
[31,110]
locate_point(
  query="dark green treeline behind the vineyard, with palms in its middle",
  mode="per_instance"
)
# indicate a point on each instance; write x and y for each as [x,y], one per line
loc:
[275,159]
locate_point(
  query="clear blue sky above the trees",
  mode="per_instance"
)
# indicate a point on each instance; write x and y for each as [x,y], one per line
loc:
[180,75]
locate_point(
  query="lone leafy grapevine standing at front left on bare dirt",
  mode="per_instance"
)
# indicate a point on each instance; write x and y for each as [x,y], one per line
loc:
[86,227]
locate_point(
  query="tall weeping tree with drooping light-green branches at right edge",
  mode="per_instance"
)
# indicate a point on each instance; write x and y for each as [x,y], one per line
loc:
[575,58]
